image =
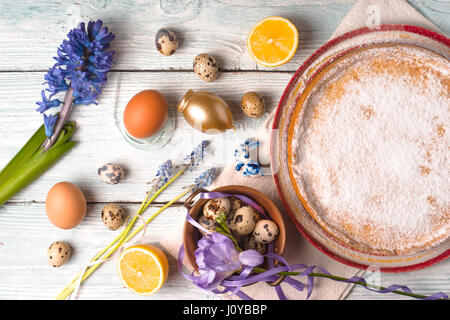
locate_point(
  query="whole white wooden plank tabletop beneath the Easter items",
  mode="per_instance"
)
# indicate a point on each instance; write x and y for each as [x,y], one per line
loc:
[30,32]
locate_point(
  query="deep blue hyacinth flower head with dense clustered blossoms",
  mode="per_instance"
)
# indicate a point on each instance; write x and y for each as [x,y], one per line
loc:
[82,63]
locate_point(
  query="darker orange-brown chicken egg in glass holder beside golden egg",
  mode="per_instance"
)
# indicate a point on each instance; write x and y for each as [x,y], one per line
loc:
[145,114]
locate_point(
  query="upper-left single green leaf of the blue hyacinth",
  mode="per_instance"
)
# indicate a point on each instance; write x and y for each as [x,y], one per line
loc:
[24,155]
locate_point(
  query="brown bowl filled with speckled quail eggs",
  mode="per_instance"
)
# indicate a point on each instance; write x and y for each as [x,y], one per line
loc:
[241,219]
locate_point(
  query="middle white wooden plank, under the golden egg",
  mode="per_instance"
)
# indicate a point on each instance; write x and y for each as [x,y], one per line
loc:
[100,140]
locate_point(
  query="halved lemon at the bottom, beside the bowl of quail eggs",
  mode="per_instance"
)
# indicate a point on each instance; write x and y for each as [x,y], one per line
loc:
[143,268]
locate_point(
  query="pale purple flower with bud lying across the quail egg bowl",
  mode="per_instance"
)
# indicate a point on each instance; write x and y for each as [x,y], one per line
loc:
[217,258]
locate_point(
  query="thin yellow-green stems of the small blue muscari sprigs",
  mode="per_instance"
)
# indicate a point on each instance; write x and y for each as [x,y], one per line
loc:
[123,237]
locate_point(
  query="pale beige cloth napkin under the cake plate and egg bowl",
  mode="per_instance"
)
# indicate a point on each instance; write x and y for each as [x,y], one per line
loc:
[365,13]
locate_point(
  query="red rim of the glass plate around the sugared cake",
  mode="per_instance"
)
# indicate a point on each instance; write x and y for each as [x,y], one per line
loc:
[385,27]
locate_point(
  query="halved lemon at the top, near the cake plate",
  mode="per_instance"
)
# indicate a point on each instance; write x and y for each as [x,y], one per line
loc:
[273,41]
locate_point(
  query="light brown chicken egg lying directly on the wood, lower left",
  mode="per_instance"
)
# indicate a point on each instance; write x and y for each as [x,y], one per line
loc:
[65,205]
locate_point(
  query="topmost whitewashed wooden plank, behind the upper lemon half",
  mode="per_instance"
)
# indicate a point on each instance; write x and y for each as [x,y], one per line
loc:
[217,27]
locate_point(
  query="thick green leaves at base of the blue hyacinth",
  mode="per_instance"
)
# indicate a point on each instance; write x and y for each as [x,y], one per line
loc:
[31,161]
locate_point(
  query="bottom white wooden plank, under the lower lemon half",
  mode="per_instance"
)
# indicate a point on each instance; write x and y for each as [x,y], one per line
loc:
[25,274]
